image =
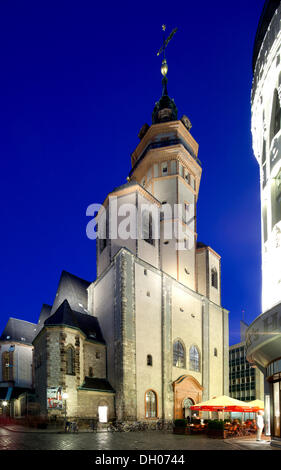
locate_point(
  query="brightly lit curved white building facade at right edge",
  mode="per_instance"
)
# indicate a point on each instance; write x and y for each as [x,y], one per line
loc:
[264,334]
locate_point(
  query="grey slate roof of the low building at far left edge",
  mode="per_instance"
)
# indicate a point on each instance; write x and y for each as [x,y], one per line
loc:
[20,331]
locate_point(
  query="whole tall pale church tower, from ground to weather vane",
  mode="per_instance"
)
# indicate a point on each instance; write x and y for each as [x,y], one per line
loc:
[157,298]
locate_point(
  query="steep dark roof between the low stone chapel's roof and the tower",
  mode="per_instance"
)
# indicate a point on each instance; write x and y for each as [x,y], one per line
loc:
[74,289]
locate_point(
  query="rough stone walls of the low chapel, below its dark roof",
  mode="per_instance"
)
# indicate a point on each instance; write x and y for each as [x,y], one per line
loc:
[50,350]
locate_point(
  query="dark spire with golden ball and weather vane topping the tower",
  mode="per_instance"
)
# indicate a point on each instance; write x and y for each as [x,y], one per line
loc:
[165,109]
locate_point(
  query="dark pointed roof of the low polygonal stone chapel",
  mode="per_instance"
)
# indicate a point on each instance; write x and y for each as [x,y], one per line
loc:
[66,316]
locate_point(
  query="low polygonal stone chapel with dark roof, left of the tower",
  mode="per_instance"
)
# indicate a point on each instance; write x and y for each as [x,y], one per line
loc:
[70,368]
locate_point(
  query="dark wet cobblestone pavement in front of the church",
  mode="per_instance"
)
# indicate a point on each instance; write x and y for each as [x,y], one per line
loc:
[10,440]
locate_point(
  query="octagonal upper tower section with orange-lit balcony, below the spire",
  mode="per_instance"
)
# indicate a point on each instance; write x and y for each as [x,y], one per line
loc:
[166,164]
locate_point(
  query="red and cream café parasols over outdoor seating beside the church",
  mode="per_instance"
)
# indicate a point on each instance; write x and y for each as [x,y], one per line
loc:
[223,403]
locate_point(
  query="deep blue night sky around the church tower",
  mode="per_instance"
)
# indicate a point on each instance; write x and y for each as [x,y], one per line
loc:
[77,82]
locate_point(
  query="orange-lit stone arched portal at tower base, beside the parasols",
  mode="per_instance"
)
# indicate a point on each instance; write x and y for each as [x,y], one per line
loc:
[185,387]
